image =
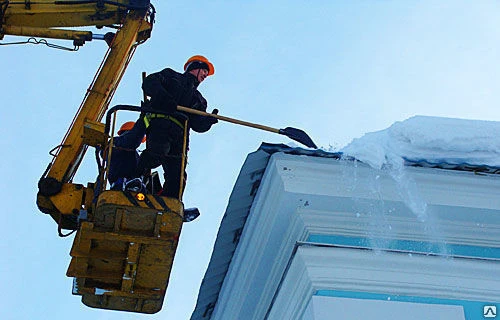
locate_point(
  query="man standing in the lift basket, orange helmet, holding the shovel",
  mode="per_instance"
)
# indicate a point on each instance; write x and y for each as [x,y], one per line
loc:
[165,131]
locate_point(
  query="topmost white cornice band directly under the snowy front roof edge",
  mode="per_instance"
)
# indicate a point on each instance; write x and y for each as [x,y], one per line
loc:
[331,177]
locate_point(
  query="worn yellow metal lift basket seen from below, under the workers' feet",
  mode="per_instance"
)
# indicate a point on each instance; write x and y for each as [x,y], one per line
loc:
[123,258]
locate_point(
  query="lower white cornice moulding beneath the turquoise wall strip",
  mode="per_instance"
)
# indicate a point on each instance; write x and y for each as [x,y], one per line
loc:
[343,269]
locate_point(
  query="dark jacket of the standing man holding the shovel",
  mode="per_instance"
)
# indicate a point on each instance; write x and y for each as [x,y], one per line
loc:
[169,88]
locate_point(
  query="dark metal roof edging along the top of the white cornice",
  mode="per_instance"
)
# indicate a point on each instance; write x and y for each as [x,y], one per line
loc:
[241,200]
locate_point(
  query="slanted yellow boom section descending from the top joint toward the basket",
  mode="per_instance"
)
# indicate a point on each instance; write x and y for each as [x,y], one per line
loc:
[135,29]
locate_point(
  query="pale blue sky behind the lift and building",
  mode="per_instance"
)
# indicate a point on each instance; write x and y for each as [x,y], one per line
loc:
[336,69]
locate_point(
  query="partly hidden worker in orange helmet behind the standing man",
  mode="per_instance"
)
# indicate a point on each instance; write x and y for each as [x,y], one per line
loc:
[124,157]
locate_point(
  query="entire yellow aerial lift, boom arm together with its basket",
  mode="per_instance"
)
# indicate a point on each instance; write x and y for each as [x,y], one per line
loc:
[125,243]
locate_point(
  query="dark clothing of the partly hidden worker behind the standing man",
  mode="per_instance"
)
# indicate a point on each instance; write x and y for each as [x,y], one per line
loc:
[125,157]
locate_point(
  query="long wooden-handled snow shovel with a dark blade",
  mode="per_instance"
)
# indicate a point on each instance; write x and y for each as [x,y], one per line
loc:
[293,133]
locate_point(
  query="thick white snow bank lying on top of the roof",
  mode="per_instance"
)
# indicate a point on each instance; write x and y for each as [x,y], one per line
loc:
[431,141]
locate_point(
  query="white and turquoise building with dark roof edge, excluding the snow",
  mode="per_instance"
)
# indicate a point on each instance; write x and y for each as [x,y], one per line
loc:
[310,235]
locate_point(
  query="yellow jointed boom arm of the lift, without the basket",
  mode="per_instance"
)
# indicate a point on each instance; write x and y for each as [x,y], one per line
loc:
[130,23]
